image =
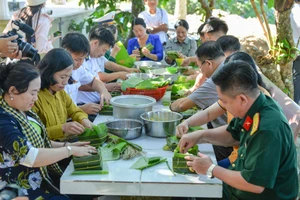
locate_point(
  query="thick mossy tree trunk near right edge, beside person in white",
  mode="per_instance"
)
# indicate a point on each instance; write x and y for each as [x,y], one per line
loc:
[284,31]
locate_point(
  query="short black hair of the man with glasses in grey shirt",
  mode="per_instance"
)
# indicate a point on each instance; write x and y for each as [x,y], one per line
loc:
[209,50]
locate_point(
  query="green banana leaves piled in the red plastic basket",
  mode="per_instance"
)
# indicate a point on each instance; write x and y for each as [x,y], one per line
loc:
[138,83]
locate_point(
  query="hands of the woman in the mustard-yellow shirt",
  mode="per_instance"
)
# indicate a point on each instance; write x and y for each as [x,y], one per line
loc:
[75,128]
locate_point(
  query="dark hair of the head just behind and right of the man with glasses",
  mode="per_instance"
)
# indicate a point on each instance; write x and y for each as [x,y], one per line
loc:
[229,43]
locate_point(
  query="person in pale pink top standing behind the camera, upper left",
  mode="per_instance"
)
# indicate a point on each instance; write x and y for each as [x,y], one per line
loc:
[34,16]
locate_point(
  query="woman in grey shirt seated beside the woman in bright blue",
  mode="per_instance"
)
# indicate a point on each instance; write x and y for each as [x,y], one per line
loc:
[185,46]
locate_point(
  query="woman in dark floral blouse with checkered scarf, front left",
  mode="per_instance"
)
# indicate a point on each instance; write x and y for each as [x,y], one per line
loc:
[27,157]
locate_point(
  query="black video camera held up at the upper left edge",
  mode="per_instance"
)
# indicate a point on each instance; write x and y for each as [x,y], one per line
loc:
[27,49]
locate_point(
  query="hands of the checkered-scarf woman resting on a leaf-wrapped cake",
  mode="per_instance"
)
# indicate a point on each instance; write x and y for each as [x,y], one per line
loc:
[82,149]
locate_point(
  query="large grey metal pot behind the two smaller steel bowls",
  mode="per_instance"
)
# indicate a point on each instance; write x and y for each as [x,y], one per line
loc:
[131,106]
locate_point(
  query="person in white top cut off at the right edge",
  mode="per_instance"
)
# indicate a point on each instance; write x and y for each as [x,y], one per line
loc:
[295,23]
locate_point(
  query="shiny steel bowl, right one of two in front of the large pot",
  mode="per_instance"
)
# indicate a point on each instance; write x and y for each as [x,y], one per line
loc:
[161,123]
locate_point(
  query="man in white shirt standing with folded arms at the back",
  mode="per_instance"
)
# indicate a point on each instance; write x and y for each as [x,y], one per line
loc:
[156,20]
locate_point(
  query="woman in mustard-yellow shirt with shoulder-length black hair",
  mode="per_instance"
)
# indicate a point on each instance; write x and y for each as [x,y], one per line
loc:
[54,105]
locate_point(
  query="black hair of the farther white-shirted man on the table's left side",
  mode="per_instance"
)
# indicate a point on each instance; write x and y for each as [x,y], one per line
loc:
[103,35]
